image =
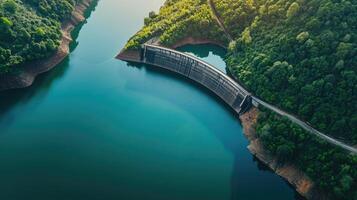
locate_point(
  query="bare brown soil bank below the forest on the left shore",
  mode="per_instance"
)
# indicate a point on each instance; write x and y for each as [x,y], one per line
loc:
[28,73]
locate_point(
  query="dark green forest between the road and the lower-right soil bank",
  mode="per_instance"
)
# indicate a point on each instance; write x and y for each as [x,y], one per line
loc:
[333,171]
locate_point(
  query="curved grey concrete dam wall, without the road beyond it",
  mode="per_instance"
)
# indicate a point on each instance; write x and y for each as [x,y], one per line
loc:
[195,69]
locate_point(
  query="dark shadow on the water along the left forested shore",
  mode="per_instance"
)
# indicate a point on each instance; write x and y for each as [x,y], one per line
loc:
[43,82]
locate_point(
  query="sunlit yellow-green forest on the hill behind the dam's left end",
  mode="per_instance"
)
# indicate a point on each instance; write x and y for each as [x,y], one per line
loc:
[178,19]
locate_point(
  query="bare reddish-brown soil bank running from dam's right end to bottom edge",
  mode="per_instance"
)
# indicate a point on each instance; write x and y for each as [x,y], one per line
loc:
[301,182]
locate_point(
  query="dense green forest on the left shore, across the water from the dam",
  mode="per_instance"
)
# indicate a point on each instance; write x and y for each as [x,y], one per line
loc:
[30,29]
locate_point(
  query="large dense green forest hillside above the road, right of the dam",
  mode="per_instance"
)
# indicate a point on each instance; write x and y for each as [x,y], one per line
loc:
[301,56]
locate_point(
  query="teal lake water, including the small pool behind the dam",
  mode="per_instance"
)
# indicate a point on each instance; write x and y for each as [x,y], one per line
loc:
[97,128]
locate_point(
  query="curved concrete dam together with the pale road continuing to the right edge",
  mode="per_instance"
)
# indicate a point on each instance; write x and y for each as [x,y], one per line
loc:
[222,85]
